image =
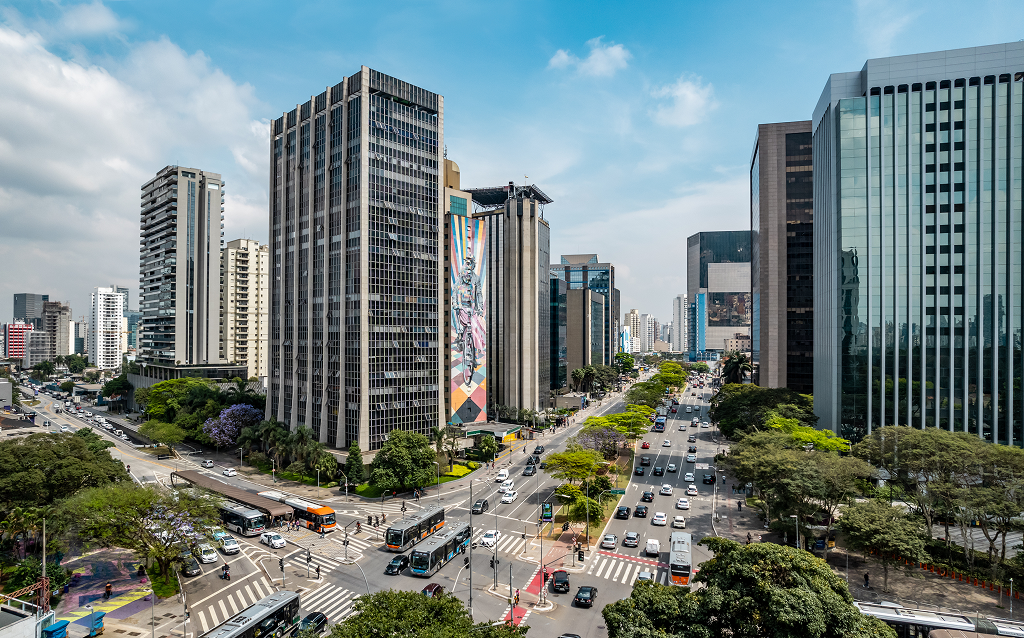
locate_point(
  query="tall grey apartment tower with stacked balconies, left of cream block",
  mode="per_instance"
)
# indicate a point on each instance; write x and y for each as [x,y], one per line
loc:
[180,269]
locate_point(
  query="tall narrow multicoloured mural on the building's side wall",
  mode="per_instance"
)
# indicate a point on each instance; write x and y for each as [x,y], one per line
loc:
[470,321]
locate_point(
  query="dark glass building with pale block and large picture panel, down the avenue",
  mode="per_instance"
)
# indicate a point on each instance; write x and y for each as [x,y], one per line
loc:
[718,282]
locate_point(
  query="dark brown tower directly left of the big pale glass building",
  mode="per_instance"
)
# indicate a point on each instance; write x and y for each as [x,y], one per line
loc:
[783,258]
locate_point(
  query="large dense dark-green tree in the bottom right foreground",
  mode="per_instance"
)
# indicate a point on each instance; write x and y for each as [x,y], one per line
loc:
[753,591]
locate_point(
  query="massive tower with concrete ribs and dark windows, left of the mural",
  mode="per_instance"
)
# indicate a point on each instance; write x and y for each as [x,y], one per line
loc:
[357,312]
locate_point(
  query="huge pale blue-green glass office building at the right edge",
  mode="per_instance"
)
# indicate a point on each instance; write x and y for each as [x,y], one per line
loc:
[918,234]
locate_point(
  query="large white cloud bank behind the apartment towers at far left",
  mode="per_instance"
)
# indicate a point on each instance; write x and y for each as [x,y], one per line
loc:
[77,142]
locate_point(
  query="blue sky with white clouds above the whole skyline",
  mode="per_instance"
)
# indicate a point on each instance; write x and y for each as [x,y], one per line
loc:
[637,119]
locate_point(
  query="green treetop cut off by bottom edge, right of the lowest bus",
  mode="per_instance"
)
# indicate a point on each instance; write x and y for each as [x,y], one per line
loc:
[412,615]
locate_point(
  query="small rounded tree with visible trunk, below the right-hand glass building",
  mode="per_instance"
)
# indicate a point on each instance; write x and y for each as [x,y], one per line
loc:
[886,531]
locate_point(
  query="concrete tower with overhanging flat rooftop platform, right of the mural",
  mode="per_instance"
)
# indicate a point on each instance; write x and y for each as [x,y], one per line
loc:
[519,250]
